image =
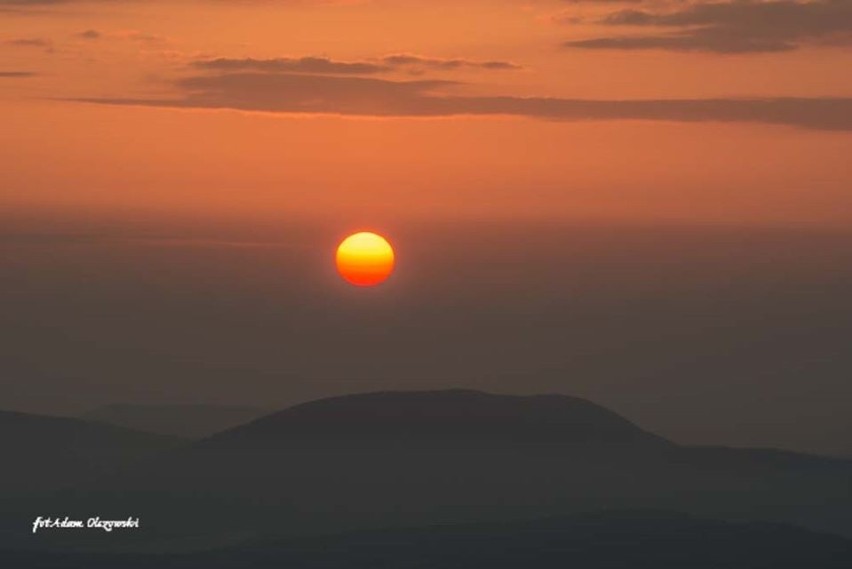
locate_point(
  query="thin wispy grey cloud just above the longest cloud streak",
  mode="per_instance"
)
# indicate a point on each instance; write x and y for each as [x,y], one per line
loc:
[326,66]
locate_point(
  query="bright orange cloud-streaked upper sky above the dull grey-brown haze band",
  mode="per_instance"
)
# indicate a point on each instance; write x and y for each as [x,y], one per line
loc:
[207,107]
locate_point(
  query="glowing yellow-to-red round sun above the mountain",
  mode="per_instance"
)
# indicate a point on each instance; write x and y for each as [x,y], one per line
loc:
[365,259]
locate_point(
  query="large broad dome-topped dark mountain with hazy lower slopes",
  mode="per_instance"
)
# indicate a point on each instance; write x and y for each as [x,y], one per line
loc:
[406,459]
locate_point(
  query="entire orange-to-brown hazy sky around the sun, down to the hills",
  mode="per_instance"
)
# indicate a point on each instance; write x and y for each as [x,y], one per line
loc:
[643,202]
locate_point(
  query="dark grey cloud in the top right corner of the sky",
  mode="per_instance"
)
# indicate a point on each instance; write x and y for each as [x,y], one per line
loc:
[740,26]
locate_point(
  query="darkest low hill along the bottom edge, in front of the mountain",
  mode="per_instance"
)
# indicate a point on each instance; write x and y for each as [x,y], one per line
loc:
[614,540]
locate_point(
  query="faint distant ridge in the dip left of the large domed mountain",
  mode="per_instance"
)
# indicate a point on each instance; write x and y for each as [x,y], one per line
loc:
[188,421]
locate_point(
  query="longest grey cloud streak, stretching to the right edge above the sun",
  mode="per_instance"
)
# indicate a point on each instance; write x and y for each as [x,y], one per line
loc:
[364,96]
